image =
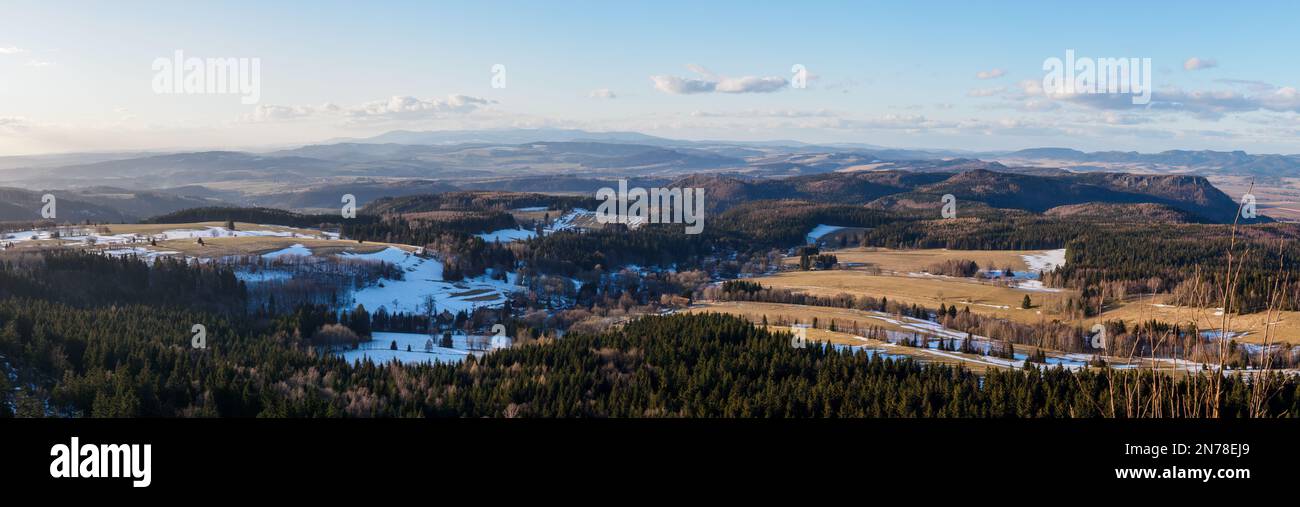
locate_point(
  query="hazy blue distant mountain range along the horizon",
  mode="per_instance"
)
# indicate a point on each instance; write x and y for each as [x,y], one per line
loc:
[558,161]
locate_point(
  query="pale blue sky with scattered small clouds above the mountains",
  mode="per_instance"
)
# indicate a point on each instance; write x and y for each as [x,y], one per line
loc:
[913,75]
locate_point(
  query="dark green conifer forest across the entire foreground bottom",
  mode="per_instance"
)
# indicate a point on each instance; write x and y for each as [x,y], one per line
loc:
[133,362]
